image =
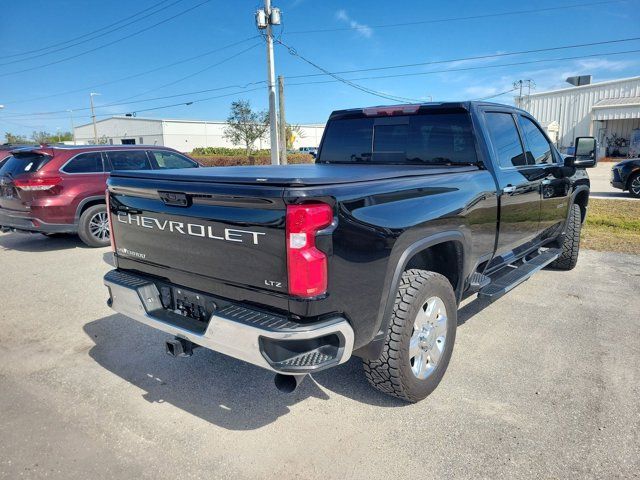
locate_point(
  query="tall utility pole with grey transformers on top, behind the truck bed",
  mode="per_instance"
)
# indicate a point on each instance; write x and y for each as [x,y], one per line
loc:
[265,19]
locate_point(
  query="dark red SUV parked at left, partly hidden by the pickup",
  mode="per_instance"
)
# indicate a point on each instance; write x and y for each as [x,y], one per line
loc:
[61,189]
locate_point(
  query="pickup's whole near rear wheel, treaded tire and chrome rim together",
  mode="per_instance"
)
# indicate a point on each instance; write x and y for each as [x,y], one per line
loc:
[420,338]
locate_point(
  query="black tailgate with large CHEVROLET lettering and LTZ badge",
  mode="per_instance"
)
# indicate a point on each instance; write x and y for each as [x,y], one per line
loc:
[233,234]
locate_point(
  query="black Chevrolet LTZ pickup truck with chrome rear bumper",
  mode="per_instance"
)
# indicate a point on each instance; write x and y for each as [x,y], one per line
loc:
[407,210]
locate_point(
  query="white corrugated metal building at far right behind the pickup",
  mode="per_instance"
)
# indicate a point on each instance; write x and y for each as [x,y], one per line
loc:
[609,111]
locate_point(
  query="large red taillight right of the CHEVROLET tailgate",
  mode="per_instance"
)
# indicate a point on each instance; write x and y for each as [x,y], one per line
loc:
[306,264]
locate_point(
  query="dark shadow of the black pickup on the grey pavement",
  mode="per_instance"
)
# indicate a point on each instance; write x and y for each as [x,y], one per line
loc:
[221,390]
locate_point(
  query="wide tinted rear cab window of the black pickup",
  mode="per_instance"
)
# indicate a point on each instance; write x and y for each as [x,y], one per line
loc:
[441,137]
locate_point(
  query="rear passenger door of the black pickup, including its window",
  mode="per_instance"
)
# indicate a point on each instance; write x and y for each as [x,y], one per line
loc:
[519,183]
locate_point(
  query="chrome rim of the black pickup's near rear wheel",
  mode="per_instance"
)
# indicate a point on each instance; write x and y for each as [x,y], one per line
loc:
[429,337]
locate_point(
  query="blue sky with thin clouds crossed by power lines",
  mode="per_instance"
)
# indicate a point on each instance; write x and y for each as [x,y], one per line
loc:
[151,57]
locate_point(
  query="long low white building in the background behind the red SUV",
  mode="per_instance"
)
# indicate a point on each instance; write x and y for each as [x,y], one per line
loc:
[182,135]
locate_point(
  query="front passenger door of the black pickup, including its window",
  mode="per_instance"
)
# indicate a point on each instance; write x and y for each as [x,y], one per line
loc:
[554,185]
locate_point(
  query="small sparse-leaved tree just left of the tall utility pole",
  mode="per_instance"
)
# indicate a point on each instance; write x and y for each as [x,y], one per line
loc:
[245,126]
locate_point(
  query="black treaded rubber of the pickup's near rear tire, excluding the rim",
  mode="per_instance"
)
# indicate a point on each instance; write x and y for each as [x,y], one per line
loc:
[392,372]
